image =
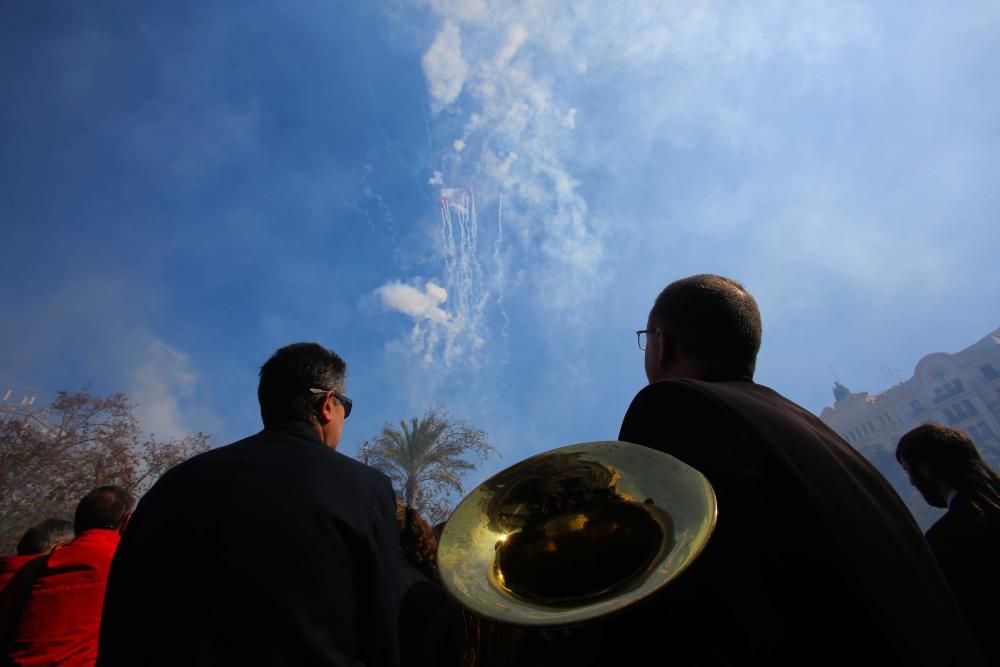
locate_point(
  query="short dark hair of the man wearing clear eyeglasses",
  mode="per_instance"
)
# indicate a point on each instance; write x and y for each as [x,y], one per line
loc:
[714,321]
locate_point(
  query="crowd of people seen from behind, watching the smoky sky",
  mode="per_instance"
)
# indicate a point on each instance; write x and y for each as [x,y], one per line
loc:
[279,550]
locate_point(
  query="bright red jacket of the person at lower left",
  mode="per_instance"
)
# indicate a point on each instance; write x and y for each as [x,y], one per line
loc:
[61,621]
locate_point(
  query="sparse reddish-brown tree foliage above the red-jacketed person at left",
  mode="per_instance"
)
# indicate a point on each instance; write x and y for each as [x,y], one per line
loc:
[51,458]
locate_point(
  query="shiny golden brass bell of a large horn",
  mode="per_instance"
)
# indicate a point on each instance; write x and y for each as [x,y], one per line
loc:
[575,533]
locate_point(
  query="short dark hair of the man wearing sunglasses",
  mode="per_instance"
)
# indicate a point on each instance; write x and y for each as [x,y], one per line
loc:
[287,377]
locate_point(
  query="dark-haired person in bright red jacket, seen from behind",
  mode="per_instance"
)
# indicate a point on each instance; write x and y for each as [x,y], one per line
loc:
[51,613]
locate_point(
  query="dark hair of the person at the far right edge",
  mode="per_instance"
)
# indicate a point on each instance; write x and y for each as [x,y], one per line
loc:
[951,458]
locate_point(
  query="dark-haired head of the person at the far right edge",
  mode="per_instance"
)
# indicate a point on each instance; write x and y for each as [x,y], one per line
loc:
[939,460]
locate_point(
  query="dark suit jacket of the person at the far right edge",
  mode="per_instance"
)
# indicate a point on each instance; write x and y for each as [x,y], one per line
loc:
[966,543]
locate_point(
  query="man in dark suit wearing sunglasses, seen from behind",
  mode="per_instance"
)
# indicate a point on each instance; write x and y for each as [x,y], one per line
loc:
[274,550]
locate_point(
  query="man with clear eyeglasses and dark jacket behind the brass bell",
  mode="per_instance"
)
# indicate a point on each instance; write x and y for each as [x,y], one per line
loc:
[814,559]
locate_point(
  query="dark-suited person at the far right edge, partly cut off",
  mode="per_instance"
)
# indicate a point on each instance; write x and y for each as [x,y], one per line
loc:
[944,465]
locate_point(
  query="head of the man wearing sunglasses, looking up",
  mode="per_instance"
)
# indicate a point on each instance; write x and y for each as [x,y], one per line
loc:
[305,382]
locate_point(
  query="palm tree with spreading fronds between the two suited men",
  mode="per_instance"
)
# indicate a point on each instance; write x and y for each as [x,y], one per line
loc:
[426,459]
